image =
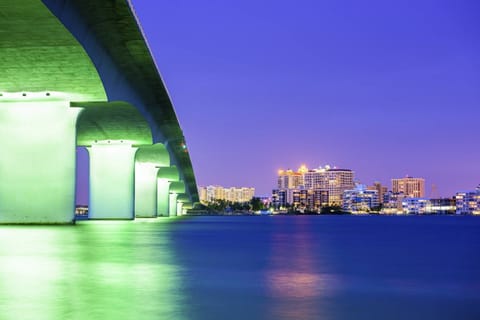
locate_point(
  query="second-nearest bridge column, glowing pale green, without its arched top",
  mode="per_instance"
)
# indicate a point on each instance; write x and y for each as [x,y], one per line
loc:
[111,181]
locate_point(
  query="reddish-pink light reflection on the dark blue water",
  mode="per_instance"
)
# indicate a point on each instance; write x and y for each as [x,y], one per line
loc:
[294,276]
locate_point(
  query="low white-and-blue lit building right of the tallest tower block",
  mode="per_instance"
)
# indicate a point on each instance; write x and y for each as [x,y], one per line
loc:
[360,199]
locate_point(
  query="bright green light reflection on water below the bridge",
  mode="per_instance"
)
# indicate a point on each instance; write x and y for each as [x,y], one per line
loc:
[101,270]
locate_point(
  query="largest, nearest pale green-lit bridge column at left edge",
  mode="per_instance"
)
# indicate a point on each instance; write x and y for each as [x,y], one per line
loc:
[37,161]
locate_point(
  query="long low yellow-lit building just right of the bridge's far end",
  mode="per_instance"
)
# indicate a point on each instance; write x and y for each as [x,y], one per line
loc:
[231,194]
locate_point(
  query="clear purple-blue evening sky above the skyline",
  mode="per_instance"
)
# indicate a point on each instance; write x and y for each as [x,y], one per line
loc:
[385,88]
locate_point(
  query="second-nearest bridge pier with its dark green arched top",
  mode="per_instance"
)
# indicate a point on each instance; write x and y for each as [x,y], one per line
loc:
[112,133]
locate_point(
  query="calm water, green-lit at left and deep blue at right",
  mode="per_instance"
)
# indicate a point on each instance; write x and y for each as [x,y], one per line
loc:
[282,267]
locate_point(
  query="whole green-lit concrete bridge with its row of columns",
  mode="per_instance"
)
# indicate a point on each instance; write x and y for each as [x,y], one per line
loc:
[80,73]
